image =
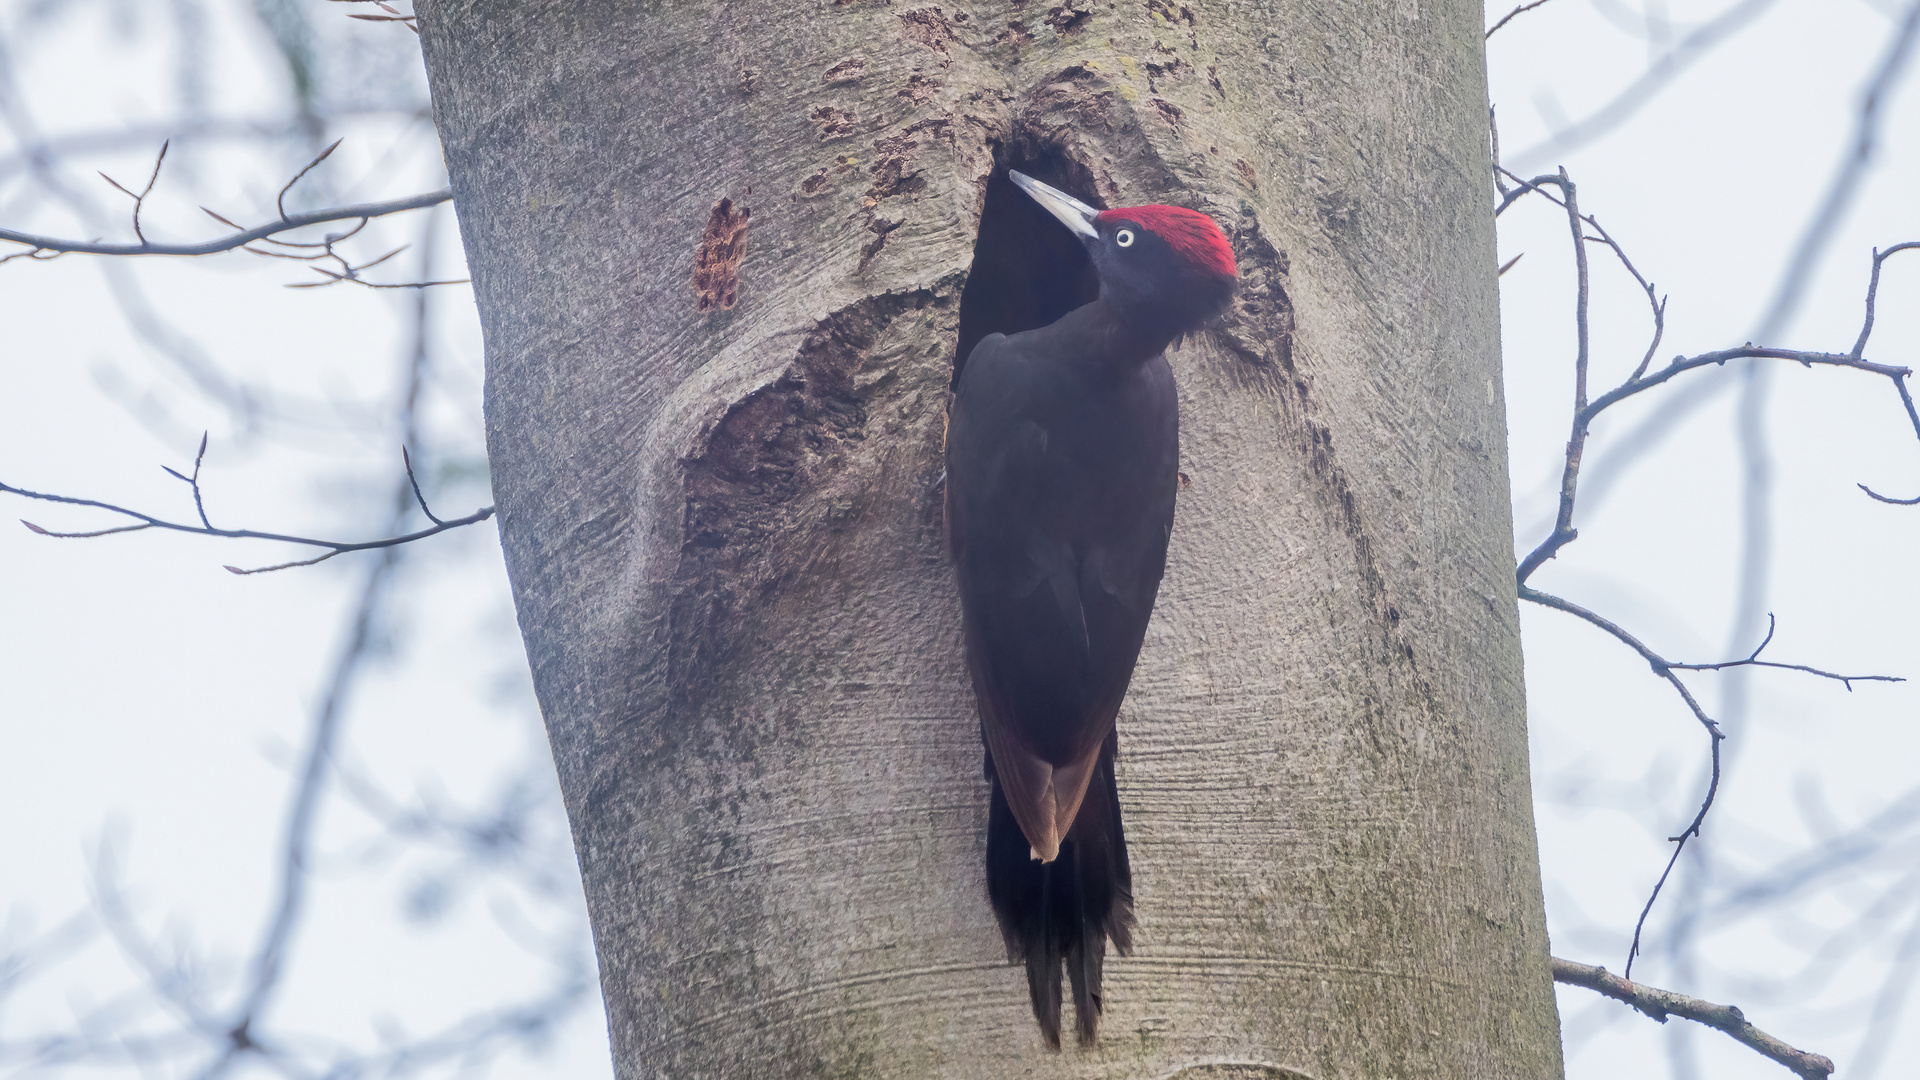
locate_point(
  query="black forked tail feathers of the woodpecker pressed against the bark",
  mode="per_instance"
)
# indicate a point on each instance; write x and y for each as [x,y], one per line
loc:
[1065,912]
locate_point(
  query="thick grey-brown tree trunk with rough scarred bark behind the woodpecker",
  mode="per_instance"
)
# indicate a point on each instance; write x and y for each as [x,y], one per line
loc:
[719,257]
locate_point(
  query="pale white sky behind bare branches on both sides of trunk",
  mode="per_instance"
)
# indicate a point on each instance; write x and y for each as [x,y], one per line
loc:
[151,702]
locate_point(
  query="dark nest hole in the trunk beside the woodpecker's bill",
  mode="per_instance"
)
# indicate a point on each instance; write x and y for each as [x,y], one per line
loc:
[1028,268]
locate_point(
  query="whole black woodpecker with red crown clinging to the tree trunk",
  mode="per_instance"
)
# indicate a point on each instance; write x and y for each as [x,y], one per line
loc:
[1063,458]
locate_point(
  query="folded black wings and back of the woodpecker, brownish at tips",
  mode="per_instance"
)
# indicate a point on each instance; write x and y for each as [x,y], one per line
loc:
[1059,510]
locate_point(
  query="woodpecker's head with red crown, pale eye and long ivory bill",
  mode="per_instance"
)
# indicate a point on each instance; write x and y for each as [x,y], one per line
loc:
[1166,268]
